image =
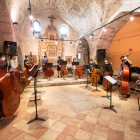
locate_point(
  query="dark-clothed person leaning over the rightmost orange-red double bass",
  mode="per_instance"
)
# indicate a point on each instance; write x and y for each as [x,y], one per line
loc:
[127,62]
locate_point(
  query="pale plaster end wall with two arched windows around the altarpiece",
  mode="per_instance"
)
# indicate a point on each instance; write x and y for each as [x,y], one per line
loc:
[31,45]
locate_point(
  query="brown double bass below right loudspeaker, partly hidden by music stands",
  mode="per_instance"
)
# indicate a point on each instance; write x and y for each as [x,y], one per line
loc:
[107,85]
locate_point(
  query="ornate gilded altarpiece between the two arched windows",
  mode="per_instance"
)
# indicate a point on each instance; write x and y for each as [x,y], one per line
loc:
[49,46]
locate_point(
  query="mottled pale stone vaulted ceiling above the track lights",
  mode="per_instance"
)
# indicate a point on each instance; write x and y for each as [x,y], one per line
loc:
[84,15]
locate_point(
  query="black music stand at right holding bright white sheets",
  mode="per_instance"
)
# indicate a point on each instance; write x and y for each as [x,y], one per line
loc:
[112,81]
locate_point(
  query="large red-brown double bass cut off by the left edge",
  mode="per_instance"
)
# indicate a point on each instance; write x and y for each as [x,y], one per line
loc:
[10,98]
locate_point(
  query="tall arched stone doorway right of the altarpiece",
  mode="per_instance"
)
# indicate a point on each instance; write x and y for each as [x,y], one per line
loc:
[83,52]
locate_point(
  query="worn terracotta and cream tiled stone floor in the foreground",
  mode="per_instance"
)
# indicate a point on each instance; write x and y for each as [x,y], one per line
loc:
[64,123]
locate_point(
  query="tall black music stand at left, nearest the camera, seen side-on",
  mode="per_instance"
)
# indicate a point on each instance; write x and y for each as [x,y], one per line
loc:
[35,88]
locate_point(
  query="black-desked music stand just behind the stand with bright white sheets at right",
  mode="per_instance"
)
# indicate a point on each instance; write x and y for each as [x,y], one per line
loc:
[107,68]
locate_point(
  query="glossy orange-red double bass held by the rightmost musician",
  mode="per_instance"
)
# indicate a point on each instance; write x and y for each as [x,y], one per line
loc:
[125,76]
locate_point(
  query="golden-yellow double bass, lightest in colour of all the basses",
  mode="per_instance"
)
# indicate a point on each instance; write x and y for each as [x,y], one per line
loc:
[94,78]
